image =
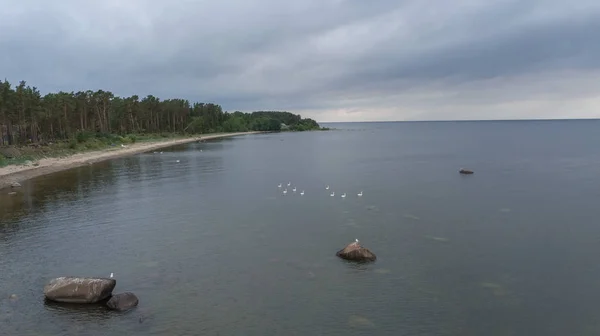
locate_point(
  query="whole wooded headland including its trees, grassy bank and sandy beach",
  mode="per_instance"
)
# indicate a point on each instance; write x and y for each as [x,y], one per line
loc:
[41,134]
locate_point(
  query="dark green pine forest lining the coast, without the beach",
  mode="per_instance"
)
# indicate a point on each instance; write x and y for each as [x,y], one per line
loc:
[27,116]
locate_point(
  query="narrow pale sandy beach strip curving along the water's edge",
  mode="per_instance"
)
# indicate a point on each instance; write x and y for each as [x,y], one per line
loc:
[19,173]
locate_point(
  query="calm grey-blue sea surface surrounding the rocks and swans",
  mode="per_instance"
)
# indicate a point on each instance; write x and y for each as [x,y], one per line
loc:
[212,247]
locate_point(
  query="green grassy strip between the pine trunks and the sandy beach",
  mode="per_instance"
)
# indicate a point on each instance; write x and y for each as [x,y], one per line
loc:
[83,142]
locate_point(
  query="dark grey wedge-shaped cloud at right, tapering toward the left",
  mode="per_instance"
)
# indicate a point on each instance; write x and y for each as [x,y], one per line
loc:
[568,45]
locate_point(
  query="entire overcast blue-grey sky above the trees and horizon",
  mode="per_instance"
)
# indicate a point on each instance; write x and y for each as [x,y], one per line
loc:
[332,60]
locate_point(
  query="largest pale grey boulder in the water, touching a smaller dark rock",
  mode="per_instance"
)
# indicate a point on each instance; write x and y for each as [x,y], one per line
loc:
[79,290]
